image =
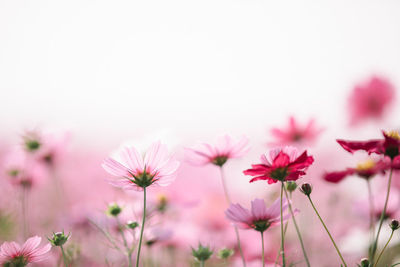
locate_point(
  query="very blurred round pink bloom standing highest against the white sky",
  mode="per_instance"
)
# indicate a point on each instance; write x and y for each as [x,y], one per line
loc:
[370,99]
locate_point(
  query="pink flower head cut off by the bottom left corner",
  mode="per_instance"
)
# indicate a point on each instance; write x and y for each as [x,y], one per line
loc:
[12,254]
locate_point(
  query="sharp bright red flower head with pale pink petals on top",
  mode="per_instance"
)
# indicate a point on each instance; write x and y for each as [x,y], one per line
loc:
[281,164]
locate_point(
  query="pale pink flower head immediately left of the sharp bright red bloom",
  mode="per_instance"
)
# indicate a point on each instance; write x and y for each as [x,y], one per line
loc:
[225,148]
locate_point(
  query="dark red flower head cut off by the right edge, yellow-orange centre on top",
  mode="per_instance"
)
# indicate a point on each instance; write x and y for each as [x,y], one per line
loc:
[388,146]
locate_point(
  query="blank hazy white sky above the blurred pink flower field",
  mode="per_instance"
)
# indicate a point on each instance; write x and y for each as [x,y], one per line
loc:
[123,68]
